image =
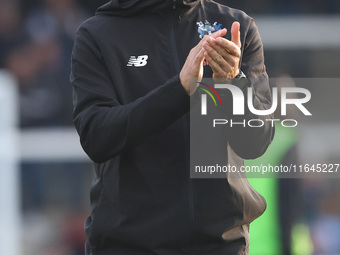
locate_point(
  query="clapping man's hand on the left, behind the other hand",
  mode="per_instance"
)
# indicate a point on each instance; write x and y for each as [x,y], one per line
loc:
[192,71]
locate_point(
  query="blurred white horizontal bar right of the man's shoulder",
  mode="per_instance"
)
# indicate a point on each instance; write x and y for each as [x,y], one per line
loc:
[299,32]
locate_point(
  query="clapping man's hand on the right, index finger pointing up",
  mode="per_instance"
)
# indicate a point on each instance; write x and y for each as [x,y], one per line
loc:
[223,56]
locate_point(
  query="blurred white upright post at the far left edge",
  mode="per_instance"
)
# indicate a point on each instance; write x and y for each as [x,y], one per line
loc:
[9,162]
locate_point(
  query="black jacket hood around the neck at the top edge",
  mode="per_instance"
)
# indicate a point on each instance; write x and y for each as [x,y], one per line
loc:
[133,7]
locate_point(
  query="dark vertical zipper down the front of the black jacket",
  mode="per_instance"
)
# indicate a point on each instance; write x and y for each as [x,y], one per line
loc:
[191,213]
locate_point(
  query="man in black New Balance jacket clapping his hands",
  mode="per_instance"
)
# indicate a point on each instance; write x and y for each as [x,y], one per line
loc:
[132,65]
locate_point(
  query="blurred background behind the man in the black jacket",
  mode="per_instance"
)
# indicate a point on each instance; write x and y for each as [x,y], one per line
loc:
[45,176]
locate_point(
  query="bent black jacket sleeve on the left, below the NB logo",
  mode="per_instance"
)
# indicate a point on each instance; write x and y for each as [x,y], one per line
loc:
[105,126]
